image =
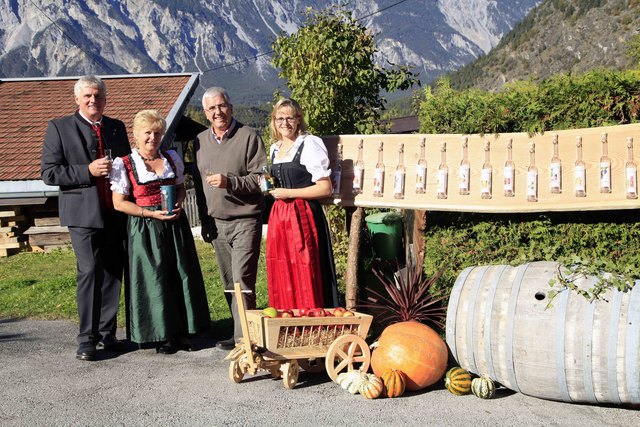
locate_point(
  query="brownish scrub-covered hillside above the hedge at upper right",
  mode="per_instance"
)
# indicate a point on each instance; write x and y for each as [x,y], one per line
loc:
[558,36]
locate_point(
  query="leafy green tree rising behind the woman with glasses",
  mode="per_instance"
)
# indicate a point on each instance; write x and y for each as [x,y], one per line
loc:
[329,67]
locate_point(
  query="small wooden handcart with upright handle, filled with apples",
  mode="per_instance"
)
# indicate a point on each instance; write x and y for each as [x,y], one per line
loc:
[282,345]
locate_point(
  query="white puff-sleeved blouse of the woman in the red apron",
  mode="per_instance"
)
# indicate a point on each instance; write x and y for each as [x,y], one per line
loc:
[314,156]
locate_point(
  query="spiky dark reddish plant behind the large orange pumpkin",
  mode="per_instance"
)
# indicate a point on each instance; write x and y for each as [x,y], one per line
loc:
[410,295]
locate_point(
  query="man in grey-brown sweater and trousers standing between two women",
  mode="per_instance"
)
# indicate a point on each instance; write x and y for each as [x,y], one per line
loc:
[229,160]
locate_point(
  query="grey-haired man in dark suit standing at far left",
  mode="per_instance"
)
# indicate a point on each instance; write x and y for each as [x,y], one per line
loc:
[75,157]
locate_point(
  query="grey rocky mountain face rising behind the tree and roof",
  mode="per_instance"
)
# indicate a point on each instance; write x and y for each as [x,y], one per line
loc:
[229,41]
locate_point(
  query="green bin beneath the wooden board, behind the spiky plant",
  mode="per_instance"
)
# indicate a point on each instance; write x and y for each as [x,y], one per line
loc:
[386,234]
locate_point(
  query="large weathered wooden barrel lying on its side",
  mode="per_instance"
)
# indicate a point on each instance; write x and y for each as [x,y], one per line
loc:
[498,325]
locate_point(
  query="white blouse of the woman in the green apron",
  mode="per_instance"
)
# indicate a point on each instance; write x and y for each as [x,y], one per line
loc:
[120,179]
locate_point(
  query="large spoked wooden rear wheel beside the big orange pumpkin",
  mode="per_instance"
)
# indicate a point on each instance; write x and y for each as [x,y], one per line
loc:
[347,352]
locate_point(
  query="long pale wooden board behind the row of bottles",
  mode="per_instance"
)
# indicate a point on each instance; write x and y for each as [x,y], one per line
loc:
[547,202]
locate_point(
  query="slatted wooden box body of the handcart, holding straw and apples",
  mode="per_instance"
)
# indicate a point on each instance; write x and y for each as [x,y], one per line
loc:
[299,337]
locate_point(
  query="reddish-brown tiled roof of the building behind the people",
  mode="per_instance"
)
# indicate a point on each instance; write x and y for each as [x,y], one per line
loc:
[26,105]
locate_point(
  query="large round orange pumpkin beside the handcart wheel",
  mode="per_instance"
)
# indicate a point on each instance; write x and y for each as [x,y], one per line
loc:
[413,348]
